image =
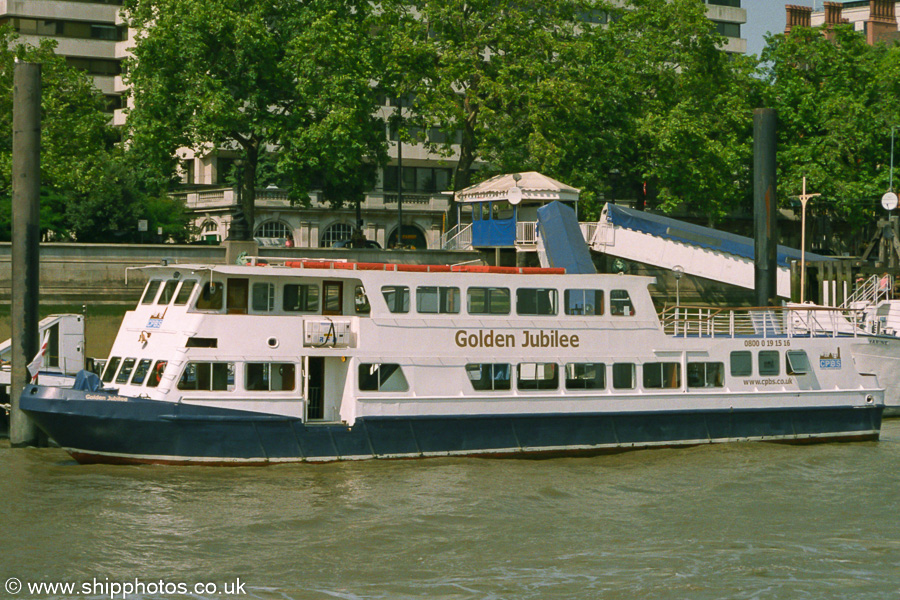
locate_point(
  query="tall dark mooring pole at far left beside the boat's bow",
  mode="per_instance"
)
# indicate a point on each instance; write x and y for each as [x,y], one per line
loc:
[26,236]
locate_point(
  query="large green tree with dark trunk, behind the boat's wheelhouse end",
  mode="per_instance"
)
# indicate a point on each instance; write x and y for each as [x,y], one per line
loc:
[254,76]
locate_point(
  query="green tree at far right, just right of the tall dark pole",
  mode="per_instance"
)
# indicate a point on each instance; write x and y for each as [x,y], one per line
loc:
[837,101]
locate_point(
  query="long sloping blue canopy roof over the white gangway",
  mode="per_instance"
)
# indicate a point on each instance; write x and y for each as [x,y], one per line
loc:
[696,235]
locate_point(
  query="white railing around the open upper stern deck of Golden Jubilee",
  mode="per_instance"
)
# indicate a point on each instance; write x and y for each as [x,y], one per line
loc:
[771,322]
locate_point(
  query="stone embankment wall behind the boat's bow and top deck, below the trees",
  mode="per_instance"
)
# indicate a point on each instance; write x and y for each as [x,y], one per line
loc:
[97,273]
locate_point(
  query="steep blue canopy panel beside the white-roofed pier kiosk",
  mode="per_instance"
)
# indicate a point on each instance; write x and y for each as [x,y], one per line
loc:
[563,241]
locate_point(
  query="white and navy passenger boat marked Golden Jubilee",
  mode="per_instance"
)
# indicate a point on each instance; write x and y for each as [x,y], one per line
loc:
[294,360]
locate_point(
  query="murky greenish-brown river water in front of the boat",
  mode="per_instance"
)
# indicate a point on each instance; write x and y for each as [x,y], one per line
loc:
[737,521]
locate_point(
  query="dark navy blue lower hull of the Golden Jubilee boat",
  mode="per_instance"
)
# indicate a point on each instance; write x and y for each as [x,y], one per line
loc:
[95,429]
